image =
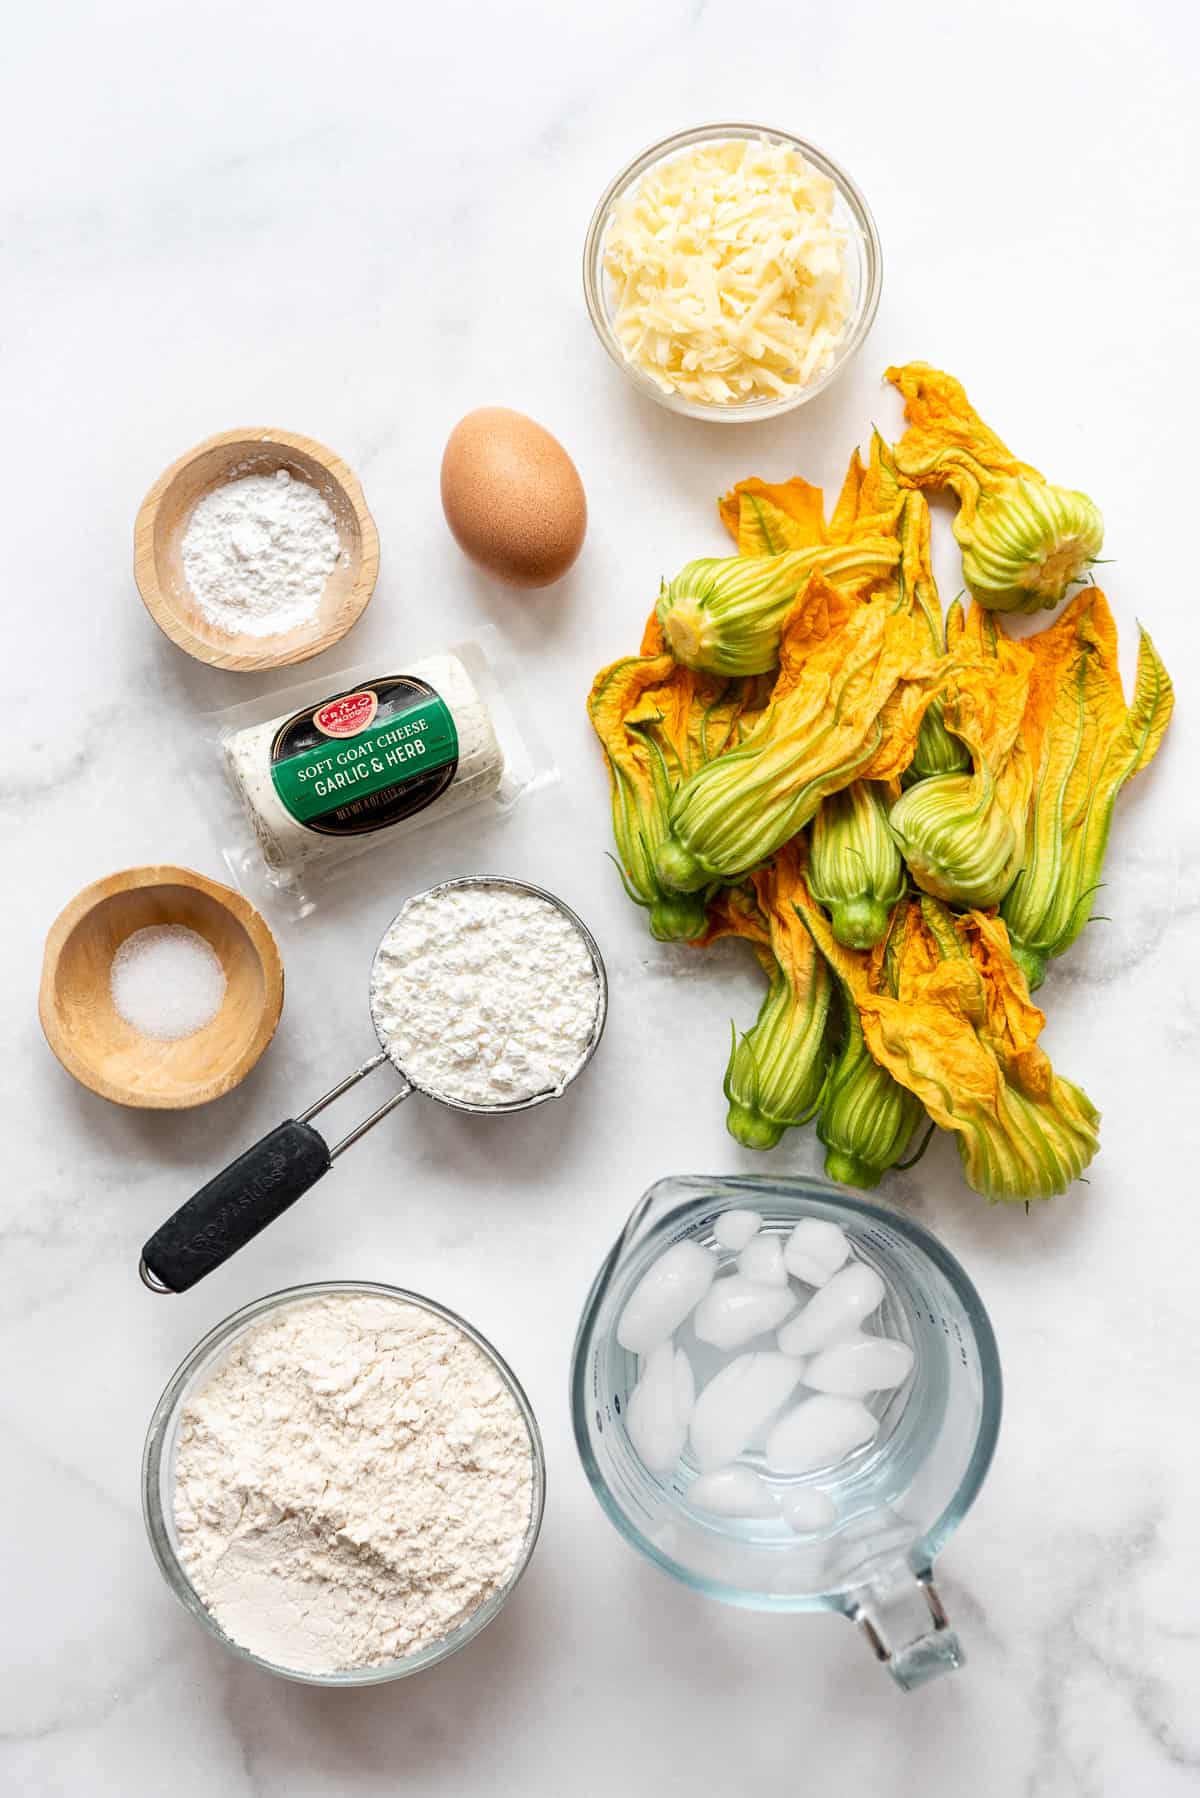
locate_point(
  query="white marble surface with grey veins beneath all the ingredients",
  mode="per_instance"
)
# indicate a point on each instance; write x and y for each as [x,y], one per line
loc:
[361,222]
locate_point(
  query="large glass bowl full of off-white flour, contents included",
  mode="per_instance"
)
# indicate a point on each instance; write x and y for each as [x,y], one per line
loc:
[345,1484]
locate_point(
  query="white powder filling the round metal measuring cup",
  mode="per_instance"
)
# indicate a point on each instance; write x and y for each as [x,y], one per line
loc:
[485,995]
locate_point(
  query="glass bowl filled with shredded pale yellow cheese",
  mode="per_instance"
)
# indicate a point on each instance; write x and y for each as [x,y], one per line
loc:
[733,271]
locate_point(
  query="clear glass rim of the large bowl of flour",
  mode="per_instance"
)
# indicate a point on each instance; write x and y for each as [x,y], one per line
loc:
[159,1436]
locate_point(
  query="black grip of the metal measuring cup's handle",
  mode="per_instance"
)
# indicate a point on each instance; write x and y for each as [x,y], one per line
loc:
[235,1206]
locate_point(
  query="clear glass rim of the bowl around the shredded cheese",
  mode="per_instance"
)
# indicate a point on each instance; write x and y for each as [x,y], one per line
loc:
[855,332]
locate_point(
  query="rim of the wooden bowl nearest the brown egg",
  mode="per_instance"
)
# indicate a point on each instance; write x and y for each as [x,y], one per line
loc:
[292,646]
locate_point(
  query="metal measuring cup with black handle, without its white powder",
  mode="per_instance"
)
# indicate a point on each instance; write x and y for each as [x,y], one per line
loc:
[282,1168]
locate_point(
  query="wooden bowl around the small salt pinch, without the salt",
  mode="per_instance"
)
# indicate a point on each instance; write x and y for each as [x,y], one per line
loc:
[105,1053]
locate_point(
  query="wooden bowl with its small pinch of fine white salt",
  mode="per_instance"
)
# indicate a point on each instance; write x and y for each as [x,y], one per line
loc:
[159,988]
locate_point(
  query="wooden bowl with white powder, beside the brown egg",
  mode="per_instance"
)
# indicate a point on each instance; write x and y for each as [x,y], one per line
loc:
[256,549]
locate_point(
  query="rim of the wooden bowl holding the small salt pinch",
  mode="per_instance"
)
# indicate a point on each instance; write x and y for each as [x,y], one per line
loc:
[130,880]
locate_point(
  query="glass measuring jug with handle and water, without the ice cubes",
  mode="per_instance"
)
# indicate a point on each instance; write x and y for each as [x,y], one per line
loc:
[897,1500]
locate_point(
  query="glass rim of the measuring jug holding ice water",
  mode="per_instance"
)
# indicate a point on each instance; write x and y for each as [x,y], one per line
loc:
[695,1189]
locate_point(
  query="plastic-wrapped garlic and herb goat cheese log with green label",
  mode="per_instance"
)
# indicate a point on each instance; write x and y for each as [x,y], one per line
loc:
[366,763]
